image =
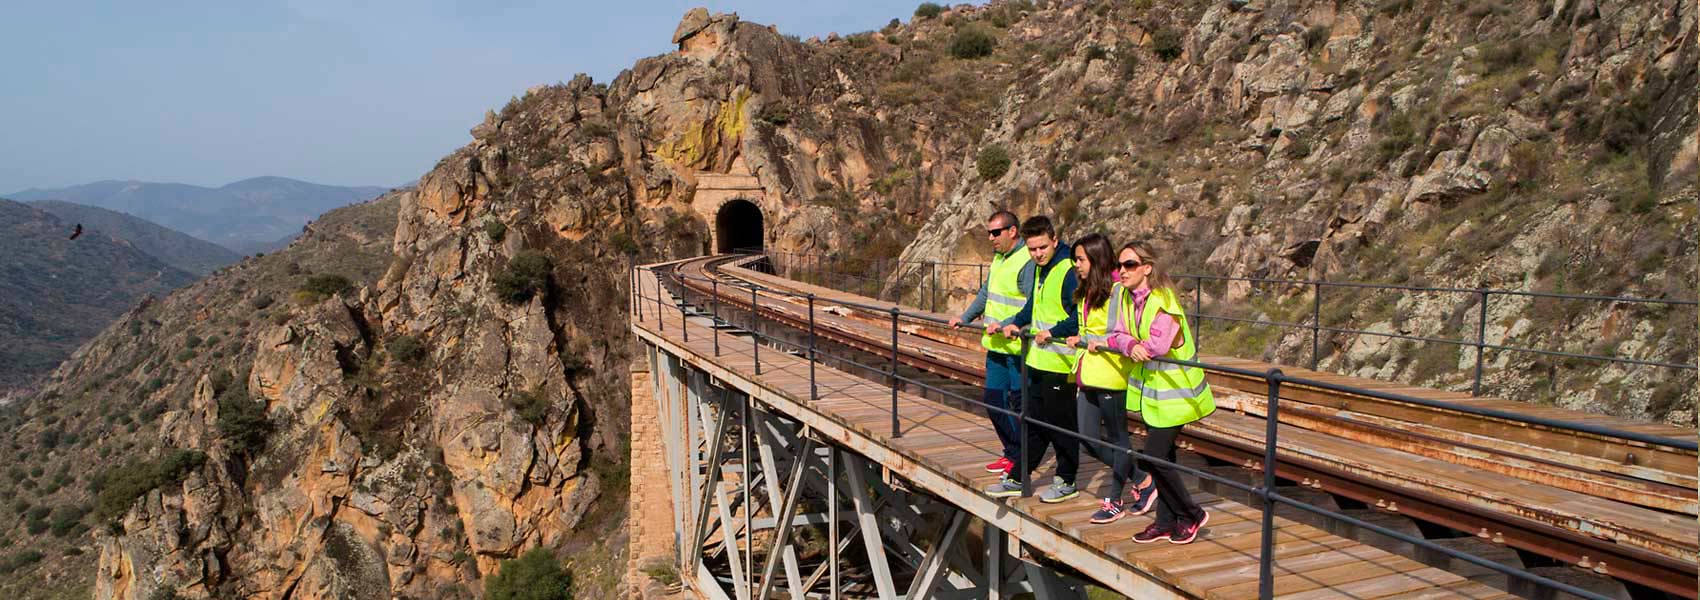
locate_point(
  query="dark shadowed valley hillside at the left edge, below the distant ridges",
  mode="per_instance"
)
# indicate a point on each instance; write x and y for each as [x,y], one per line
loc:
[59,293]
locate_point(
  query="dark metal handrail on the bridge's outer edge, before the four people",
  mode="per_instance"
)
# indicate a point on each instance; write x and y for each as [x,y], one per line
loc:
[1266,492]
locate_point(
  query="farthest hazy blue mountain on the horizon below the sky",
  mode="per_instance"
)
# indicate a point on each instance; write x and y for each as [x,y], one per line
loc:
[244,217]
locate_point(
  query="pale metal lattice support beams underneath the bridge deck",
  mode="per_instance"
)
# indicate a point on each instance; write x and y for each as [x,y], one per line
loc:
[768,507]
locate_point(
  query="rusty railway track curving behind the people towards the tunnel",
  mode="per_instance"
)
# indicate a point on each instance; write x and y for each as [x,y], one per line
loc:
[1611,506]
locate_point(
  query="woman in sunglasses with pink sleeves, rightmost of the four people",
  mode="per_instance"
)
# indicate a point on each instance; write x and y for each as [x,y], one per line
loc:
[1167,395]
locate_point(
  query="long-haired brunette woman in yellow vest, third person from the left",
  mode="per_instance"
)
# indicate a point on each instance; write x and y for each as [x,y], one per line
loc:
[1102,380]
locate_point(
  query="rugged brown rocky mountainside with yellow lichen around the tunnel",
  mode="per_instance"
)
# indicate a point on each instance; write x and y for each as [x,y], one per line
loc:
[467,400]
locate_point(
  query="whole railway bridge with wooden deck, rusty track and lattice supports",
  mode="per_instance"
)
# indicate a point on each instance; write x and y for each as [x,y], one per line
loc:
[825,444]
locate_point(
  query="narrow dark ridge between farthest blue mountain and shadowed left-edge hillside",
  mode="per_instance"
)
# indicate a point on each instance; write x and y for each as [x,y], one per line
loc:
[173,247]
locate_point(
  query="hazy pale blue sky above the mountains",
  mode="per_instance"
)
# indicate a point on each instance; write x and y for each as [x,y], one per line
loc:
[324,91]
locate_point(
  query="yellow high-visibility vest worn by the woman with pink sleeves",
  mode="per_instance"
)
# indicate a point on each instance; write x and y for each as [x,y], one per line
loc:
[1167,395]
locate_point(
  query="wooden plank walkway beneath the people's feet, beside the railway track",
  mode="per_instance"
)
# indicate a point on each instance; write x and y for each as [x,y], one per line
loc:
[943,451]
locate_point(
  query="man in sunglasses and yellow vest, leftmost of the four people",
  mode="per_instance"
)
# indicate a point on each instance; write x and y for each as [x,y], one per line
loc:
[1002,297]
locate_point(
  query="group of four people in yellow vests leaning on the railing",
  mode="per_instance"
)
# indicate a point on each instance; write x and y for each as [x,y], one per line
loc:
[1125,308]
